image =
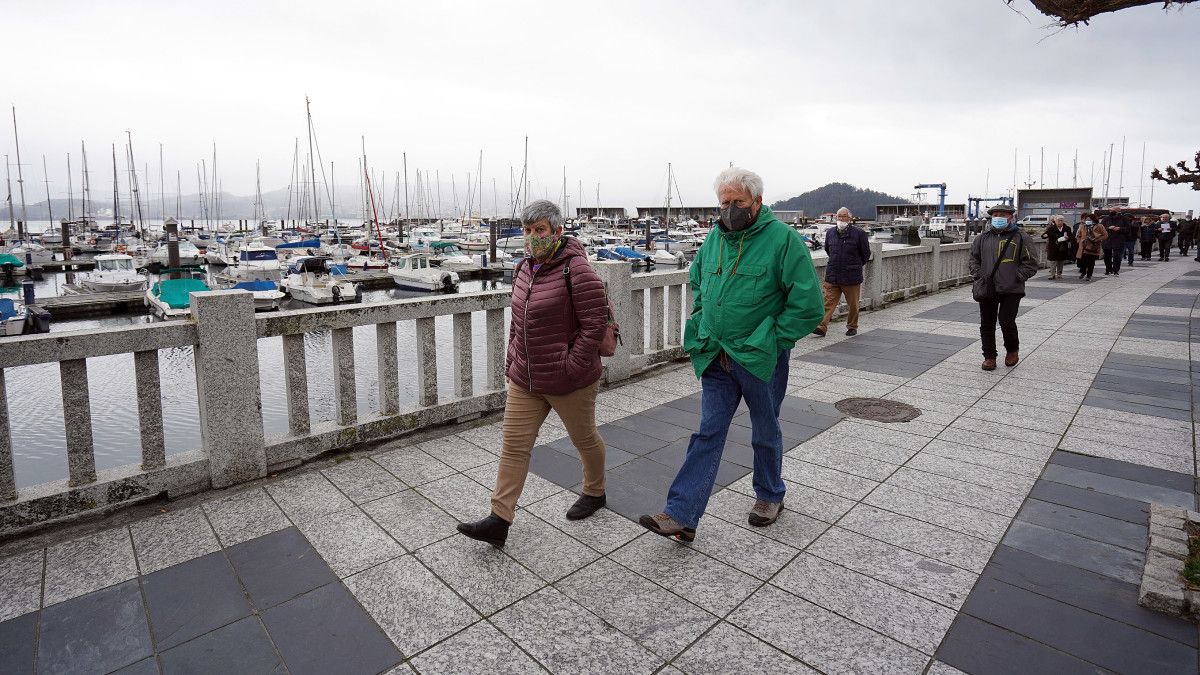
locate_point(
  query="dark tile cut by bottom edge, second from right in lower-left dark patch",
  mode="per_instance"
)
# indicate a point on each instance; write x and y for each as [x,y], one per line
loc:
[238,648]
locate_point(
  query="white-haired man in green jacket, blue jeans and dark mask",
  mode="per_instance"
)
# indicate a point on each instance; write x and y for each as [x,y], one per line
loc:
[755,294]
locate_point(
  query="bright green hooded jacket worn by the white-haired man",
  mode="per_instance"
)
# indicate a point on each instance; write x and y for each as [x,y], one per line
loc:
[754,295]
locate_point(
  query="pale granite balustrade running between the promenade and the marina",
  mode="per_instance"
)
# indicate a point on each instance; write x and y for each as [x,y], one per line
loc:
[224,333]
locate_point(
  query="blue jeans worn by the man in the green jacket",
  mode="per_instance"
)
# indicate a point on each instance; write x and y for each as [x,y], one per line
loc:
[721,396]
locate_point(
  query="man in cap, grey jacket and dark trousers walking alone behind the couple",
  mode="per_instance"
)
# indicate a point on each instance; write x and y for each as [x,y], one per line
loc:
[1001,262]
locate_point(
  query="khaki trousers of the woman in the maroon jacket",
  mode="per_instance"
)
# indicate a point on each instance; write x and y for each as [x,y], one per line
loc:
[524,415]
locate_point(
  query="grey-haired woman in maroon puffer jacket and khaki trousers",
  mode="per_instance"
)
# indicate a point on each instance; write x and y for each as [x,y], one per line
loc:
[560,316]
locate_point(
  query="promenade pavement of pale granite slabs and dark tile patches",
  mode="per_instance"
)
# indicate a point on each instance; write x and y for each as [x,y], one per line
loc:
[1004,530]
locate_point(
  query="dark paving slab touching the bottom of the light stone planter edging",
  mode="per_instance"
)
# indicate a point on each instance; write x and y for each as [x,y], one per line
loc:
[1087,590]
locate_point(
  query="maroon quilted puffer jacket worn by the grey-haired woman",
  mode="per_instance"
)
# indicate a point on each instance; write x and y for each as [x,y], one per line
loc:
[555,336]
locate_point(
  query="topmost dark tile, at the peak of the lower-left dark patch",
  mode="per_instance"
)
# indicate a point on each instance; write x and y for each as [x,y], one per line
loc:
[279,568]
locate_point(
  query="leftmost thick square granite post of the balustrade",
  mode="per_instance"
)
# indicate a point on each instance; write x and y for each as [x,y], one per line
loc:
[227,386]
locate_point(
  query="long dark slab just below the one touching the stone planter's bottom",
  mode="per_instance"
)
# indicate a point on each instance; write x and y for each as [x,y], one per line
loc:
[1101,641]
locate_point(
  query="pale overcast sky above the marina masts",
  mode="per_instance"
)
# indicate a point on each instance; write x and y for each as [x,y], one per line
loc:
[877,93]
